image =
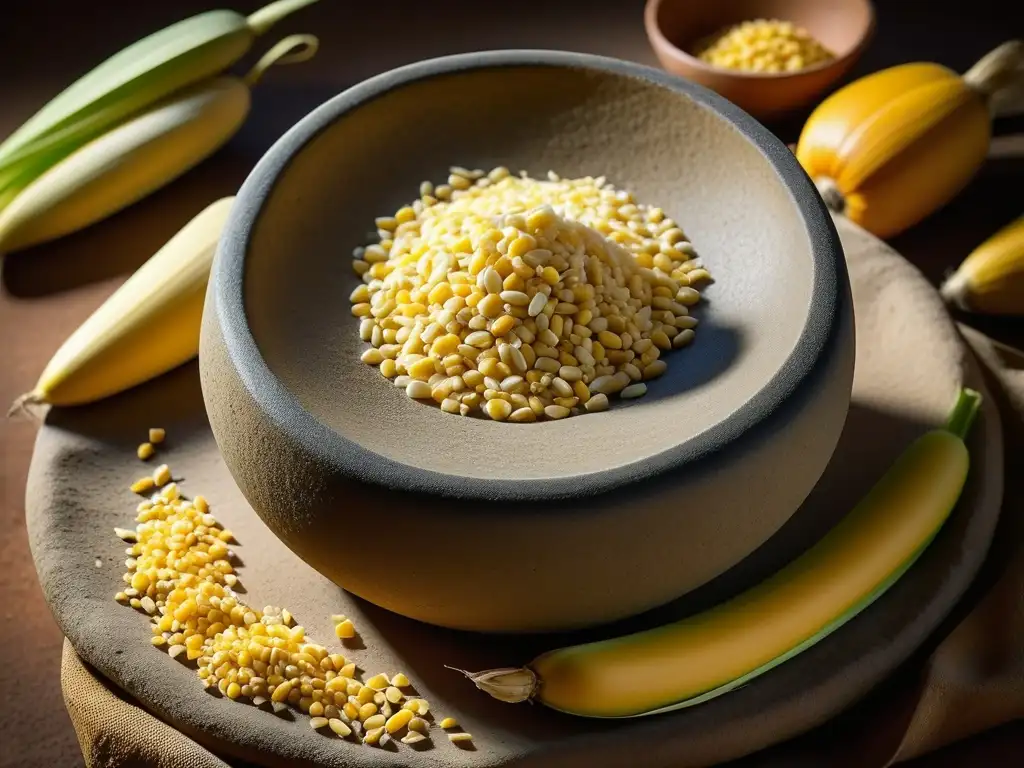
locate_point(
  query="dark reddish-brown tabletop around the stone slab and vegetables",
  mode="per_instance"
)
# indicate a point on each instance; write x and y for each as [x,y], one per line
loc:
[45,45]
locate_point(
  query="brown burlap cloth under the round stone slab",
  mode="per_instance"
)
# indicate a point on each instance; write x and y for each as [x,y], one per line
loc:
[973,680]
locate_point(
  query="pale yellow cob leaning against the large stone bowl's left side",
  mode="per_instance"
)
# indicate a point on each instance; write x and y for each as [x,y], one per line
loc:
[148,327]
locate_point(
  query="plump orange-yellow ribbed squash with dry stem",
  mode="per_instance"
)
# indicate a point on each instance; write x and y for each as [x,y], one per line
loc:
[894,147]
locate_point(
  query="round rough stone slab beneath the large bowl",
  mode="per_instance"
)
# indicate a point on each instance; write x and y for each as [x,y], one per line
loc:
[86,461]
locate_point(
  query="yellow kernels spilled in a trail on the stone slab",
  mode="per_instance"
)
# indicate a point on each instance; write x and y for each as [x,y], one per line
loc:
[180,573]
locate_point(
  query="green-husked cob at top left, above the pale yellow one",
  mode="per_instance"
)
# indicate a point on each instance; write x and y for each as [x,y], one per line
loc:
[138,77]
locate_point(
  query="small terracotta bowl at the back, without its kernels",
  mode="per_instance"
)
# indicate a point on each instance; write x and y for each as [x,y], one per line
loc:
[676,27]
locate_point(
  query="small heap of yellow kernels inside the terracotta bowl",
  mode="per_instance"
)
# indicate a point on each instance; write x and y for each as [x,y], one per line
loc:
[764,46]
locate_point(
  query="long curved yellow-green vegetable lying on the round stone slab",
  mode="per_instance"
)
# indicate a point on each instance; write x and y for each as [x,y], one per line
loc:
[698,659]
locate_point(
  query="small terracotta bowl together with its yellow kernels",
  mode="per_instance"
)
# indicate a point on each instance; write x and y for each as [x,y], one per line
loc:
[767,57]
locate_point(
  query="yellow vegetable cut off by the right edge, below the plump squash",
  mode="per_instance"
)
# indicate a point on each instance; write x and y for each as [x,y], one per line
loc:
[991,280]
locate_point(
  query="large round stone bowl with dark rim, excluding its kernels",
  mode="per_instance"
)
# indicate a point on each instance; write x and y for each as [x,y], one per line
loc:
[481,526]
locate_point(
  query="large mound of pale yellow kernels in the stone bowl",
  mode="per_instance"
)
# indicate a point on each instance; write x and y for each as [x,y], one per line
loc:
[525,300]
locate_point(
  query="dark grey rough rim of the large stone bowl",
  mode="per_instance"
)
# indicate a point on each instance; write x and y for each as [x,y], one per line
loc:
[764,413]
